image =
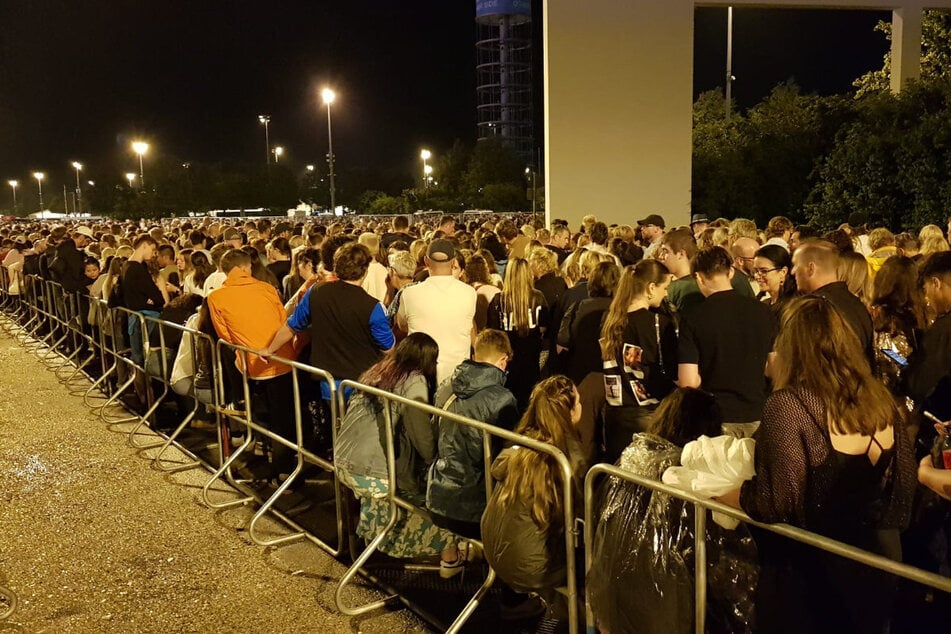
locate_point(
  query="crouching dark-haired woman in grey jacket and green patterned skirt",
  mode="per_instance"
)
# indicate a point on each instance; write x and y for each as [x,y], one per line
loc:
[360,455]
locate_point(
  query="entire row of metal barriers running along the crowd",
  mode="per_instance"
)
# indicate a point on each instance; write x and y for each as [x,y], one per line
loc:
[51,322]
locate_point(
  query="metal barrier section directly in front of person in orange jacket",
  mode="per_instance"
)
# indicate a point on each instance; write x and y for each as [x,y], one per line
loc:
[255,428]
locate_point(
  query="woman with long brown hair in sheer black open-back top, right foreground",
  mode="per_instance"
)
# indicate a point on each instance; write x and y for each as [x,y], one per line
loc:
[833,457]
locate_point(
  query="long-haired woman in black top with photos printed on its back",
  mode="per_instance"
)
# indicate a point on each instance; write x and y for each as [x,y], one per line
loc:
[639,353]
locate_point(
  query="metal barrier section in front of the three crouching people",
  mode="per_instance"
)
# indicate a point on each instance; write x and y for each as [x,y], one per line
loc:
[396,502]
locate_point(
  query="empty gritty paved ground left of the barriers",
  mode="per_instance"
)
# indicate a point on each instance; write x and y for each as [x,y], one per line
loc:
[94,540]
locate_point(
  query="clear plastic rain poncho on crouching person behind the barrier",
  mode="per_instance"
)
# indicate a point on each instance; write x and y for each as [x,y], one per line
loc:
[642,573]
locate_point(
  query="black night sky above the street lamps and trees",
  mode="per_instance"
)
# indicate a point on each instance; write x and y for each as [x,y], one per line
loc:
[80,80]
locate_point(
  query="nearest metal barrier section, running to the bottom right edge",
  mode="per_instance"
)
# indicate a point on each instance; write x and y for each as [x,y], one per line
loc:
[700,508]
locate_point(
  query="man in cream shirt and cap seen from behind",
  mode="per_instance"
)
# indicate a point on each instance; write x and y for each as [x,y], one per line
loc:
[442,307]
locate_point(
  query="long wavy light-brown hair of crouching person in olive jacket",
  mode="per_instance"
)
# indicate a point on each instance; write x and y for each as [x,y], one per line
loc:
[535,475]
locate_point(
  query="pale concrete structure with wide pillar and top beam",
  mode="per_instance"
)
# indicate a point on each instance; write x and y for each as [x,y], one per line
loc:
[618,100]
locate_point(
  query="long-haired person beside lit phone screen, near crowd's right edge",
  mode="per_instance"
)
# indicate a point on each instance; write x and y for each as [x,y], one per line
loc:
[898,316]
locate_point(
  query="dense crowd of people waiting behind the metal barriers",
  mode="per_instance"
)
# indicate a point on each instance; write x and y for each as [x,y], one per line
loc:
[622,343]
